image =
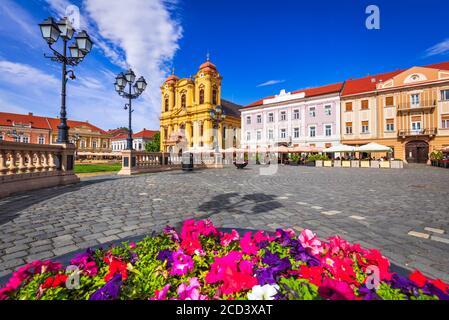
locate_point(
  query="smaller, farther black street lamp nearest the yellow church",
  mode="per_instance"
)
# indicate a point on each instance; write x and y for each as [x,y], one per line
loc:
[135,89]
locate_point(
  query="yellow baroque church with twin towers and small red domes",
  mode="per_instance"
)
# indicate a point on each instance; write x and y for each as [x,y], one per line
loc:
[185,122]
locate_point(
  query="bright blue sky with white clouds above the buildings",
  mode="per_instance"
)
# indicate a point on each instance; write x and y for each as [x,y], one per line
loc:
[259,47]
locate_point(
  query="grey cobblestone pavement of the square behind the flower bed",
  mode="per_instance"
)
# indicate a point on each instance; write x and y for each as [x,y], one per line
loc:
[404,213]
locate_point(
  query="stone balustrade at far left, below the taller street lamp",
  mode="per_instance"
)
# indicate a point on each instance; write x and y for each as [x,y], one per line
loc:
[26,166]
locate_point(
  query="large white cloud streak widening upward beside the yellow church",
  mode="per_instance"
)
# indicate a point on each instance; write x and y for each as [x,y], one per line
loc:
[148,37]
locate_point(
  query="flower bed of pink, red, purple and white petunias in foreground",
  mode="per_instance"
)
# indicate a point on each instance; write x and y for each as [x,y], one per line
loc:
[202,263]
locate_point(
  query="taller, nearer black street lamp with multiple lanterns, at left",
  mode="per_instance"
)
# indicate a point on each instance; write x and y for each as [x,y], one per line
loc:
[51,32]
